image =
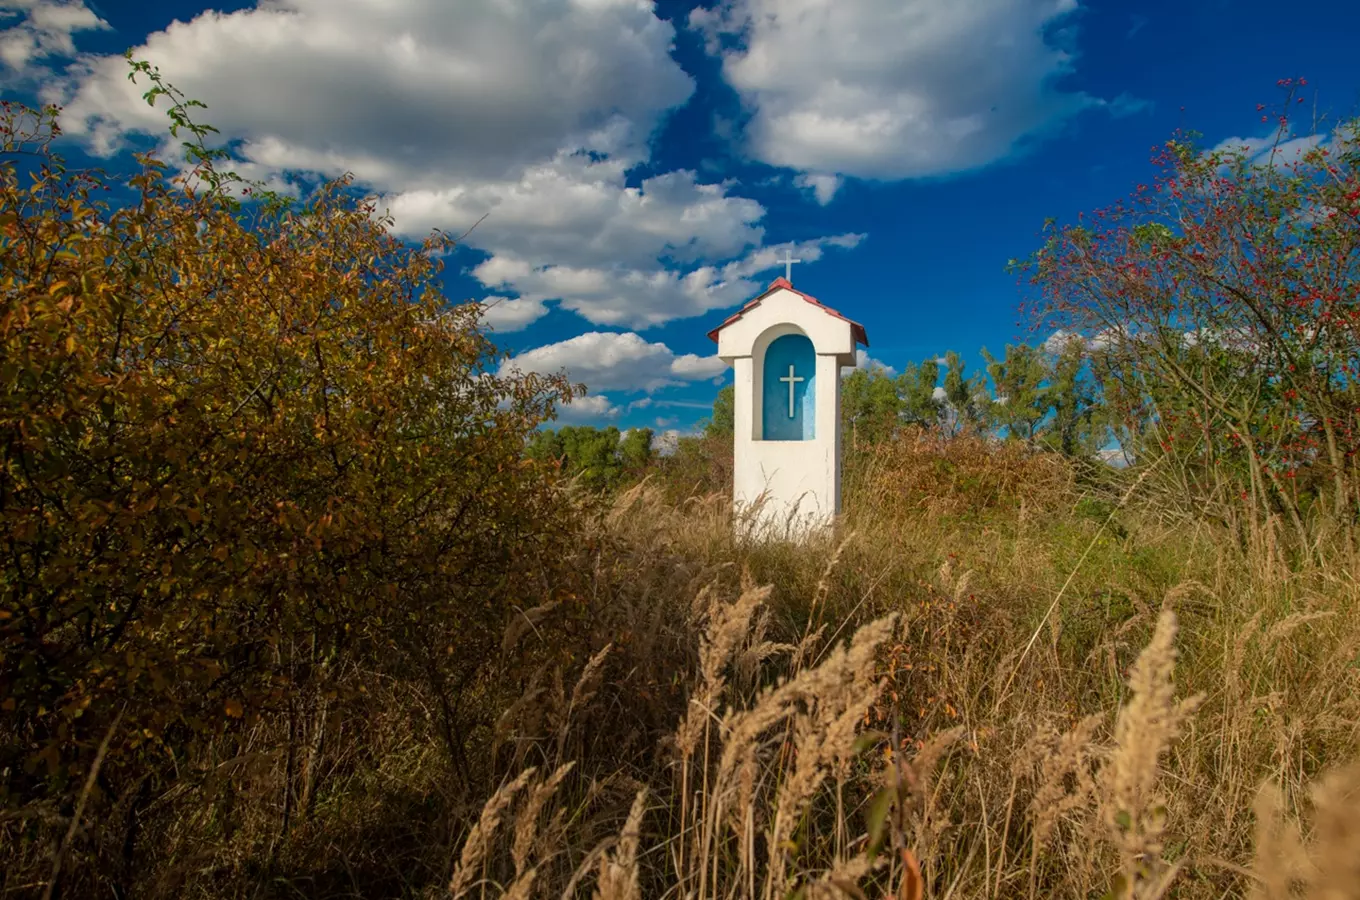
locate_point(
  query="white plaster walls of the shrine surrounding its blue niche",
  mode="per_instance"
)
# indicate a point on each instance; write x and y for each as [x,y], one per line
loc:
[787,489]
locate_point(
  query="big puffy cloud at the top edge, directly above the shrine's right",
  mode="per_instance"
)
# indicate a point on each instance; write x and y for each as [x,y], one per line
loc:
[896,89]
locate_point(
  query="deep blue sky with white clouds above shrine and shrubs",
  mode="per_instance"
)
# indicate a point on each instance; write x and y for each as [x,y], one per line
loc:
[643,165]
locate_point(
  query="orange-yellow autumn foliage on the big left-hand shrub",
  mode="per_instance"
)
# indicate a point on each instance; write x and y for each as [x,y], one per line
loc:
[165,421]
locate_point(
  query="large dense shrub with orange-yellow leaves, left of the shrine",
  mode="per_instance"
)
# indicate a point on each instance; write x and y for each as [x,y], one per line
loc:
[252,462]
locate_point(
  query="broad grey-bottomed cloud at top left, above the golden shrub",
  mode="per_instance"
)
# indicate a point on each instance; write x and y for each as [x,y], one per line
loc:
[406,90]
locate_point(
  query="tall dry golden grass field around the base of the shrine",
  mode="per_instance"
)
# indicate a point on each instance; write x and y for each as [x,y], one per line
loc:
[995,682]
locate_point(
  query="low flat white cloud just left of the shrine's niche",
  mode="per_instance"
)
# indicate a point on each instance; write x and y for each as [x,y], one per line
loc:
[614,361]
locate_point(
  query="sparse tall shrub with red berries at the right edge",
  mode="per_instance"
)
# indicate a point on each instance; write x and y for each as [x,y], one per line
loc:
[1221,304]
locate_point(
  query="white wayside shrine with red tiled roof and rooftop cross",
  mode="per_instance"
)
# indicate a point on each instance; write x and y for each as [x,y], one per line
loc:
[787,351]
